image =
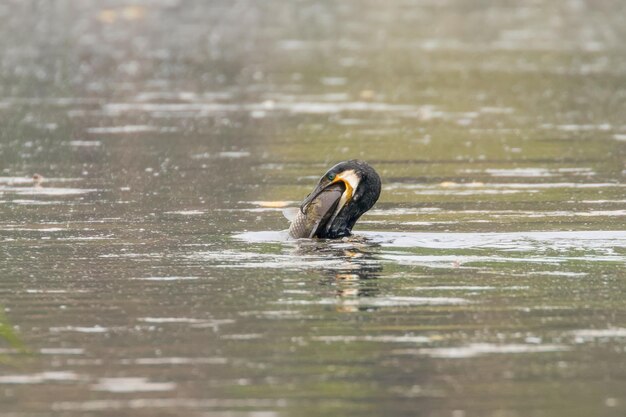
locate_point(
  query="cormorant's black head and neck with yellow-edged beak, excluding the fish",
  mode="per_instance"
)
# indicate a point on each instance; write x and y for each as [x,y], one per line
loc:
[361,189]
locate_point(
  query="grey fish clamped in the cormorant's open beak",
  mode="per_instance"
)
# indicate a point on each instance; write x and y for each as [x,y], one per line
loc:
[314,216]
